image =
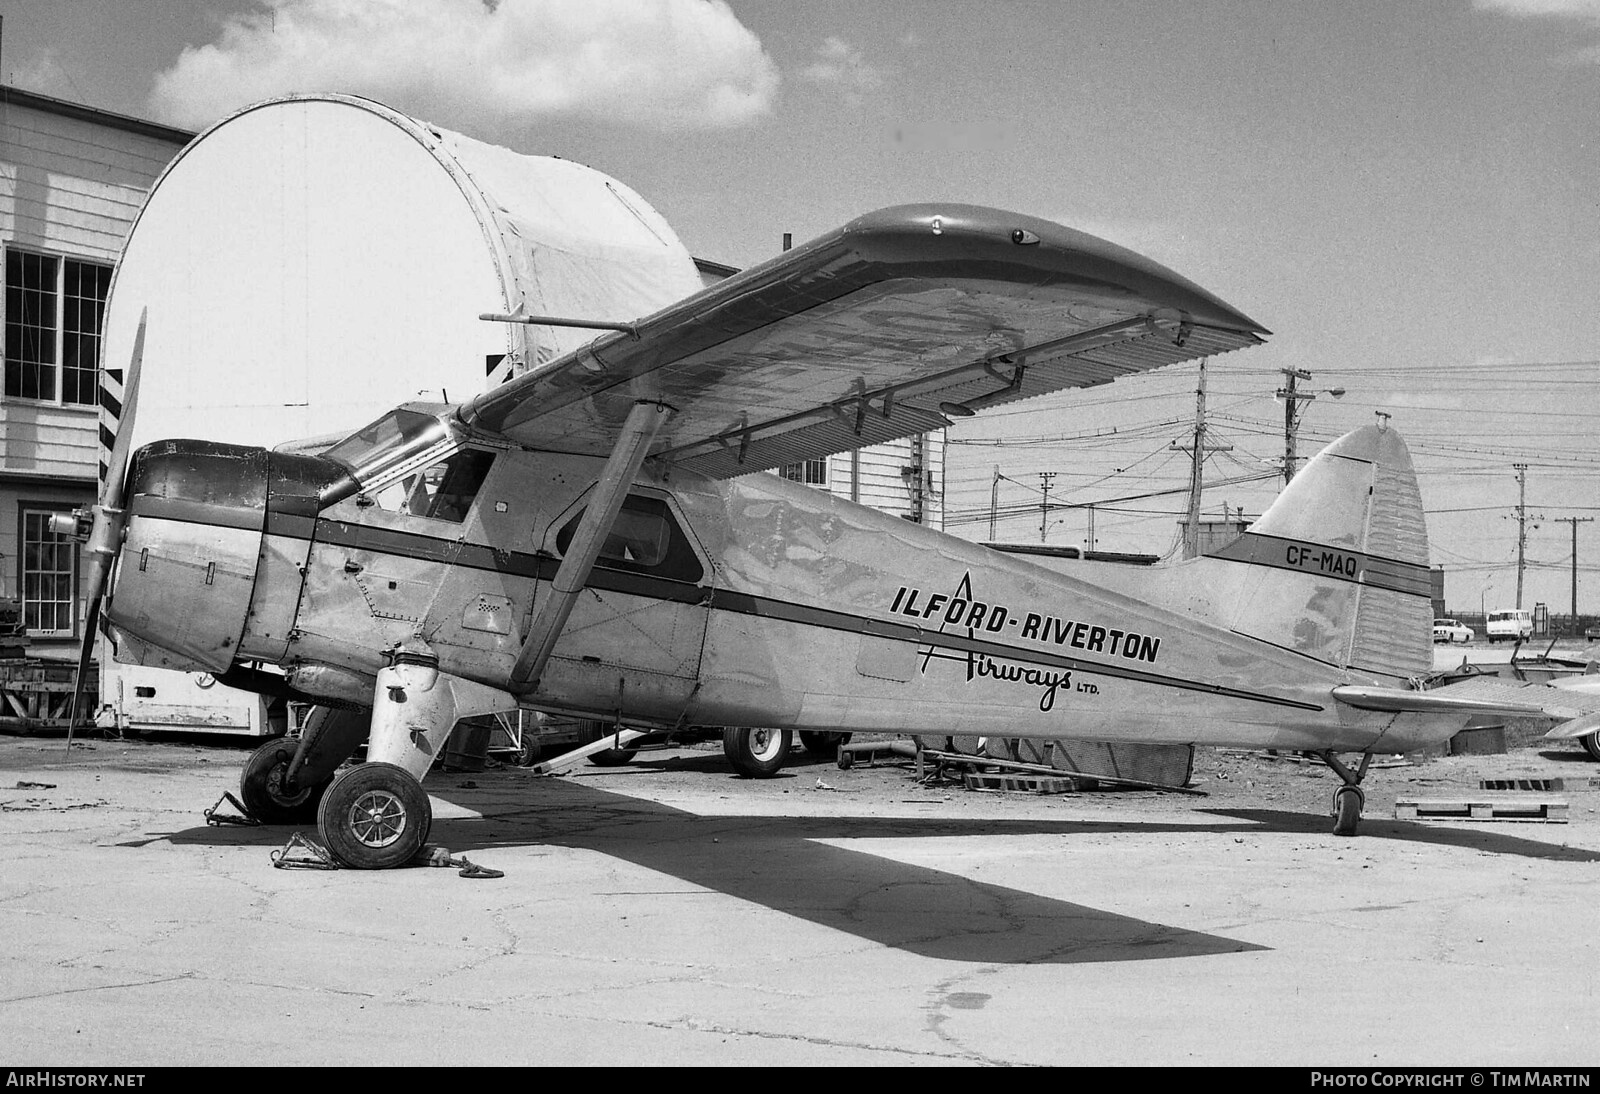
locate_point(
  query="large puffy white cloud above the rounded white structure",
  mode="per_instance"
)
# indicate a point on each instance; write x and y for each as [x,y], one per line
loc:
[663,65]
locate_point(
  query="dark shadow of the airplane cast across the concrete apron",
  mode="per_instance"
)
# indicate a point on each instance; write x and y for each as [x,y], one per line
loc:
[782,864]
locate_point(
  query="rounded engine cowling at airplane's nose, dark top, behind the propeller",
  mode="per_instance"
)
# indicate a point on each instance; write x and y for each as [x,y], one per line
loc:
[188,562]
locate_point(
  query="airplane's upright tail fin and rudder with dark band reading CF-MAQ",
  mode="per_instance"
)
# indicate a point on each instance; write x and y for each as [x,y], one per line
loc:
[1337,569]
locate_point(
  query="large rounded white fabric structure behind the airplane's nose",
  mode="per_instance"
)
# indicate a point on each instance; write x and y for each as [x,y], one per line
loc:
[311,262]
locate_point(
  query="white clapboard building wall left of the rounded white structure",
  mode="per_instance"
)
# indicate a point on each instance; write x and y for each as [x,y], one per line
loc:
[71,185]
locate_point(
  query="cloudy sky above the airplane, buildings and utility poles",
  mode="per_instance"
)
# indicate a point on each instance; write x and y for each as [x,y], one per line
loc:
[1406,194]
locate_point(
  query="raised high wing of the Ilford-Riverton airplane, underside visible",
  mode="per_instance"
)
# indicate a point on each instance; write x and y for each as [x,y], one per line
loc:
[876,332]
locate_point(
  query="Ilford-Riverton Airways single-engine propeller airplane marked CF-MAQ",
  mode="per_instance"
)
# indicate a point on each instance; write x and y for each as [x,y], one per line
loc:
[588,540]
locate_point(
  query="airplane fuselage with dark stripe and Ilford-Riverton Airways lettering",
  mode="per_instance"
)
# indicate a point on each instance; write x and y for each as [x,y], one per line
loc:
[716,602]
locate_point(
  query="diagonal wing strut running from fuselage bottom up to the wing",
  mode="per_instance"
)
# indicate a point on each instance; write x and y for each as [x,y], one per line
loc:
[593,529]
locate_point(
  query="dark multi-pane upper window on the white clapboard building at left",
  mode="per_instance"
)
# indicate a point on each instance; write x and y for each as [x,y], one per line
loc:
[54,311]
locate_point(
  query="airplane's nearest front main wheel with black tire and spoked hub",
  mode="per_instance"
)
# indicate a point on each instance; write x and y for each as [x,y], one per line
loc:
[375,817]
